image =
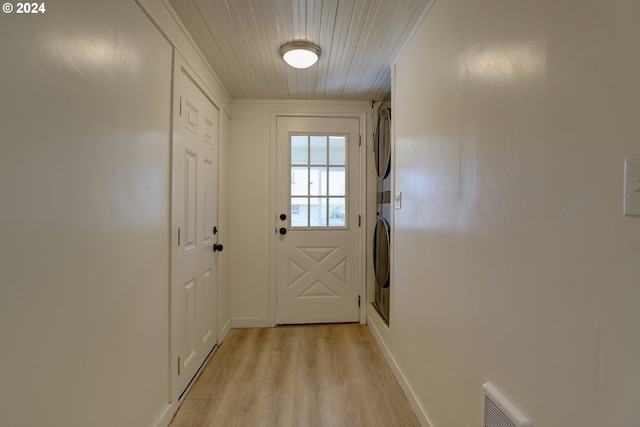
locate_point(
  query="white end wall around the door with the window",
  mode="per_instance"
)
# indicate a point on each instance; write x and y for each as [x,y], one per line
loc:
[252,222]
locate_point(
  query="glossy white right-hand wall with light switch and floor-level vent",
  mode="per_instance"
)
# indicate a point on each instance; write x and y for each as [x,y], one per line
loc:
[513,262]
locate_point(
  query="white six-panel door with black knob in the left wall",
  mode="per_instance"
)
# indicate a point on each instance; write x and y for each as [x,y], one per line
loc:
[194,216]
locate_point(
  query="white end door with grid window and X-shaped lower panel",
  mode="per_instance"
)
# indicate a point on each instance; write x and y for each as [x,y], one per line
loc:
[317,220]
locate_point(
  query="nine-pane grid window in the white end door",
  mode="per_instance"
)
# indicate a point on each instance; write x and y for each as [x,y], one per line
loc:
[319,170]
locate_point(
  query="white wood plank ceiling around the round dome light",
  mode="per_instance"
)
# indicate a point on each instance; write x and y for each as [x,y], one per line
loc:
[359,39]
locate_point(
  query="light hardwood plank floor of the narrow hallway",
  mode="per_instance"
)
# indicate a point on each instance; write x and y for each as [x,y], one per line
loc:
[297,376]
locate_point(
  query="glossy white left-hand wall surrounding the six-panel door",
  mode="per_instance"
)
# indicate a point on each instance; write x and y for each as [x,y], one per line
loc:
[84,213]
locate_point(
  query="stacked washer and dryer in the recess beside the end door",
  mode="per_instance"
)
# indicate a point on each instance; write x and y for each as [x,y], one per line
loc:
[382,233]
